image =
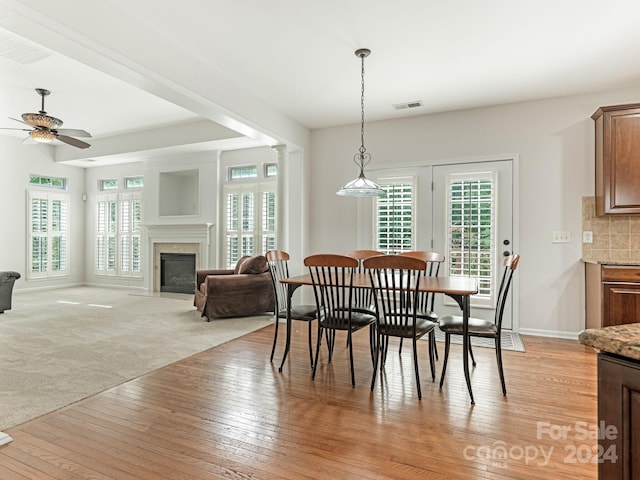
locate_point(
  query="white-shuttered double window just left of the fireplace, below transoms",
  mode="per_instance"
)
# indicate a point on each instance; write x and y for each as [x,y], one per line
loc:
[118,239]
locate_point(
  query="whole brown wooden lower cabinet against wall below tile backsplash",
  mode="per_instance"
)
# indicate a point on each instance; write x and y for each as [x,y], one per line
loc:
[612,295]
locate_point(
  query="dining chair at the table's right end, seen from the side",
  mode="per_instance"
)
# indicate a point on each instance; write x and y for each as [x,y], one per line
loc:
[453,325]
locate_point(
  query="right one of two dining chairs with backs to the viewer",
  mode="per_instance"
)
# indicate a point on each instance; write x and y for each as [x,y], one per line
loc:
[396,287]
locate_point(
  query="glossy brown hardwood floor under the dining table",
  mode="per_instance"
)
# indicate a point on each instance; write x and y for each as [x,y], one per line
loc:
[228,413]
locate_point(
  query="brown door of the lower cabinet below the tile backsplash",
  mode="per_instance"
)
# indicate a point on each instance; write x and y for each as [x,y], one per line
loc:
[620,303]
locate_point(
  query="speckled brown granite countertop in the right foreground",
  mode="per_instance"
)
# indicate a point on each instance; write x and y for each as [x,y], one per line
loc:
[623,340]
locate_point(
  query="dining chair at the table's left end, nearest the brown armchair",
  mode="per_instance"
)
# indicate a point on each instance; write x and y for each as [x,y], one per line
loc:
[279,267]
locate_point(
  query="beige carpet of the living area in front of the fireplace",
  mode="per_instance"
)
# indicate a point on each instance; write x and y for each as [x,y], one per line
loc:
[60,346]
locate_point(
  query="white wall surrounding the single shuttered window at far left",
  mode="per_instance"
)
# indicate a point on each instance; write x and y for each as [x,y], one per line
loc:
[17,162]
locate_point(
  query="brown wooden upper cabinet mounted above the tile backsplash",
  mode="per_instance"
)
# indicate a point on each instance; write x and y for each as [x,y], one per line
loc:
[617,148]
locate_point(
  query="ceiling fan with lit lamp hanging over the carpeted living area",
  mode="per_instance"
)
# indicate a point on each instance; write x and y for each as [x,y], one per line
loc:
[45,128]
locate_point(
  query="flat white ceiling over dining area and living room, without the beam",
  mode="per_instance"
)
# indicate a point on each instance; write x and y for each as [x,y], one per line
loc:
[298,55]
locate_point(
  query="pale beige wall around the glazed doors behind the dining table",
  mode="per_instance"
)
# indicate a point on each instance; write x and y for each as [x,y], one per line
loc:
[555,142]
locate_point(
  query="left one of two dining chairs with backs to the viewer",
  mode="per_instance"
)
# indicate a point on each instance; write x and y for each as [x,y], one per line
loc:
[332,280]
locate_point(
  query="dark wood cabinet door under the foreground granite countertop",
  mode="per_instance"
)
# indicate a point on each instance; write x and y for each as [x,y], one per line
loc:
[619,418]
